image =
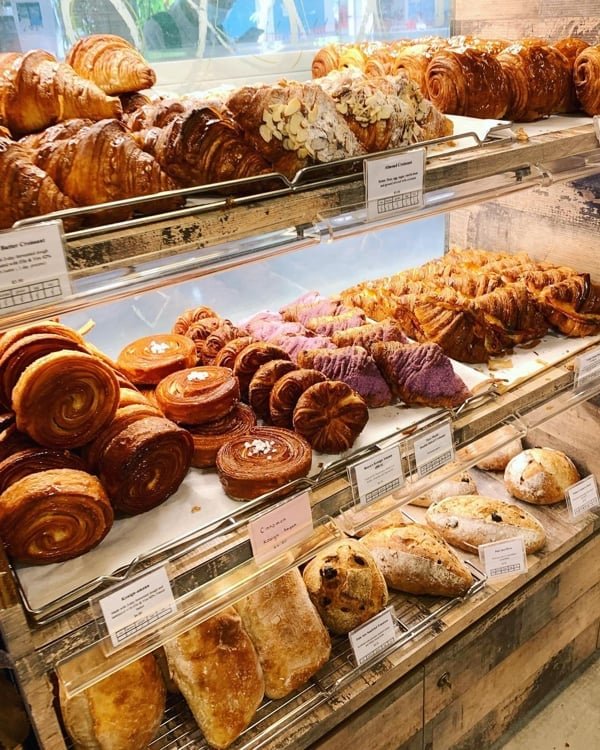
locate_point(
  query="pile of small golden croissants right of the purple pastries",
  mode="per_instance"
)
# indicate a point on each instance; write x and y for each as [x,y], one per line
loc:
[476,304]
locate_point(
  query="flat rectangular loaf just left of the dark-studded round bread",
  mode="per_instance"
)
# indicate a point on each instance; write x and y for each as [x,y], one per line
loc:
[291,641]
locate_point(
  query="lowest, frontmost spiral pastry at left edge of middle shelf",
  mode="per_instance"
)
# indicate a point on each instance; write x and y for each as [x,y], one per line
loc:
[53,515]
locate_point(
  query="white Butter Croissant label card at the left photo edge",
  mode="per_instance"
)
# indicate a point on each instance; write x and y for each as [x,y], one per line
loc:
[33,269]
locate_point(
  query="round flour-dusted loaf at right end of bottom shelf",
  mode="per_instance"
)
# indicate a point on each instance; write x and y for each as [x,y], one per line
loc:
[540,475]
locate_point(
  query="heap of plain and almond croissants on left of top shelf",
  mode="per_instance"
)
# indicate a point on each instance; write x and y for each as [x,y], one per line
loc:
[79,133]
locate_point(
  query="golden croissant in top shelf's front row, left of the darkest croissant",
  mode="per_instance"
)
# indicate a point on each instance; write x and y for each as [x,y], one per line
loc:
[102,163]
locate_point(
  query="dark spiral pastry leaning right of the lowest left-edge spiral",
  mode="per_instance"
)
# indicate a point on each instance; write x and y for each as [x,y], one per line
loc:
[145,463]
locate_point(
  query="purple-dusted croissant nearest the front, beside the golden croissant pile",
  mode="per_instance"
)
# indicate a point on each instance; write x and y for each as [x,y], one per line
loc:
[420,374]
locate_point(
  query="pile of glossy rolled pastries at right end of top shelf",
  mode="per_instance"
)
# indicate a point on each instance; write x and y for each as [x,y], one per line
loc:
[463,75]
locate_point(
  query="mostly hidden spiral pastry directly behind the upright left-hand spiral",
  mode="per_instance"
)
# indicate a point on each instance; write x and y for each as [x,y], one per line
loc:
[25,350]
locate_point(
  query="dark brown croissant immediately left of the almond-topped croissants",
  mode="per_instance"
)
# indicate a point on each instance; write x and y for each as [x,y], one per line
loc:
[200,147]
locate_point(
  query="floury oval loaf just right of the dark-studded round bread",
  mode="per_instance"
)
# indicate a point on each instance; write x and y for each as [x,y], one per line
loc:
[413,558]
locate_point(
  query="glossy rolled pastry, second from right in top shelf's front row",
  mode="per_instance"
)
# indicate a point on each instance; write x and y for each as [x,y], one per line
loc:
[538,78]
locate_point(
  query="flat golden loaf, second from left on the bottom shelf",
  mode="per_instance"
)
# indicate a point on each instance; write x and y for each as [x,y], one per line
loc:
[216,668]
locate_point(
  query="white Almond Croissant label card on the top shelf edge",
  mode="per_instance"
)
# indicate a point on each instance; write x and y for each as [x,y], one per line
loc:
[394,184]
